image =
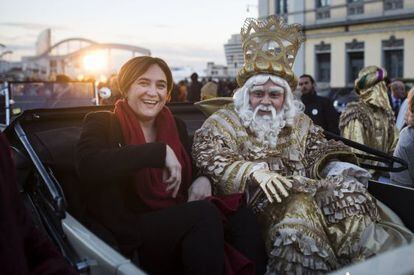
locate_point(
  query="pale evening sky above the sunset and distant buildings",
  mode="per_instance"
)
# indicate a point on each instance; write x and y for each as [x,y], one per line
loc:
[186,33]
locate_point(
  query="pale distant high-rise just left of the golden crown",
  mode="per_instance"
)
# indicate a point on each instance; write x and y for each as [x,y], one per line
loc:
[234,55]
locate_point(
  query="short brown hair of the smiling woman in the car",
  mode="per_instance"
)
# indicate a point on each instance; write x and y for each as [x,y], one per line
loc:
[136,67]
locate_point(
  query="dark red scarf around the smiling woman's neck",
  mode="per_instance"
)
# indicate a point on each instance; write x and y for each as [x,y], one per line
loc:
[148,183]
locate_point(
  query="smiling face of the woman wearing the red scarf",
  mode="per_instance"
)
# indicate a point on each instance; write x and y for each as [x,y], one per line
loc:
[148,94]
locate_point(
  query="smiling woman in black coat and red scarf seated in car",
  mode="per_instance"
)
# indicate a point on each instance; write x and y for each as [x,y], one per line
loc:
[137,173]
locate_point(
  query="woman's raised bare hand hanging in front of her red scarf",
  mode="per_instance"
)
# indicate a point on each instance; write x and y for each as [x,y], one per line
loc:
[172,172]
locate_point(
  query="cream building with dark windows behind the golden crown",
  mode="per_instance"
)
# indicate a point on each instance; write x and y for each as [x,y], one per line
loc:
[344,36]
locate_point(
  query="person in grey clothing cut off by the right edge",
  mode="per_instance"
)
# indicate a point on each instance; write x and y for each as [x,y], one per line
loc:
[405,147]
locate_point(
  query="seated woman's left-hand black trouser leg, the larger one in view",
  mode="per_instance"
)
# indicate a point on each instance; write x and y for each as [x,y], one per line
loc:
[184,239]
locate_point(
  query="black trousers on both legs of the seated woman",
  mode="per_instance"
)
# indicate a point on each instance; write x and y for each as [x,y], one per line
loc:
[189,239]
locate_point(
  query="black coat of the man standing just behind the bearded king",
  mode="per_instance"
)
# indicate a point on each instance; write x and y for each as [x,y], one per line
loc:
[321,111]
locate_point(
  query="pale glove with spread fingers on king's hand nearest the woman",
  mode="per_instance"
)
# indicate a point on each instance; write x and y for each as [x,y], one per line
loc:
[272,184]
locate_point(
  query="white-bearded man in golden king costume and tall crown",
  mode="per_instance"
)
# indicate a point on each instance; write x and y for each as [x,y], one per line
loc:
[308,192]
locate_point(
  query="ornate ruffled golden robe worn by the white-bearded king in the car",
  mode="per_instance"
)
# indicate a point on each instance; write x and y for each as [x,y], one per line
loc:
[322,224]
